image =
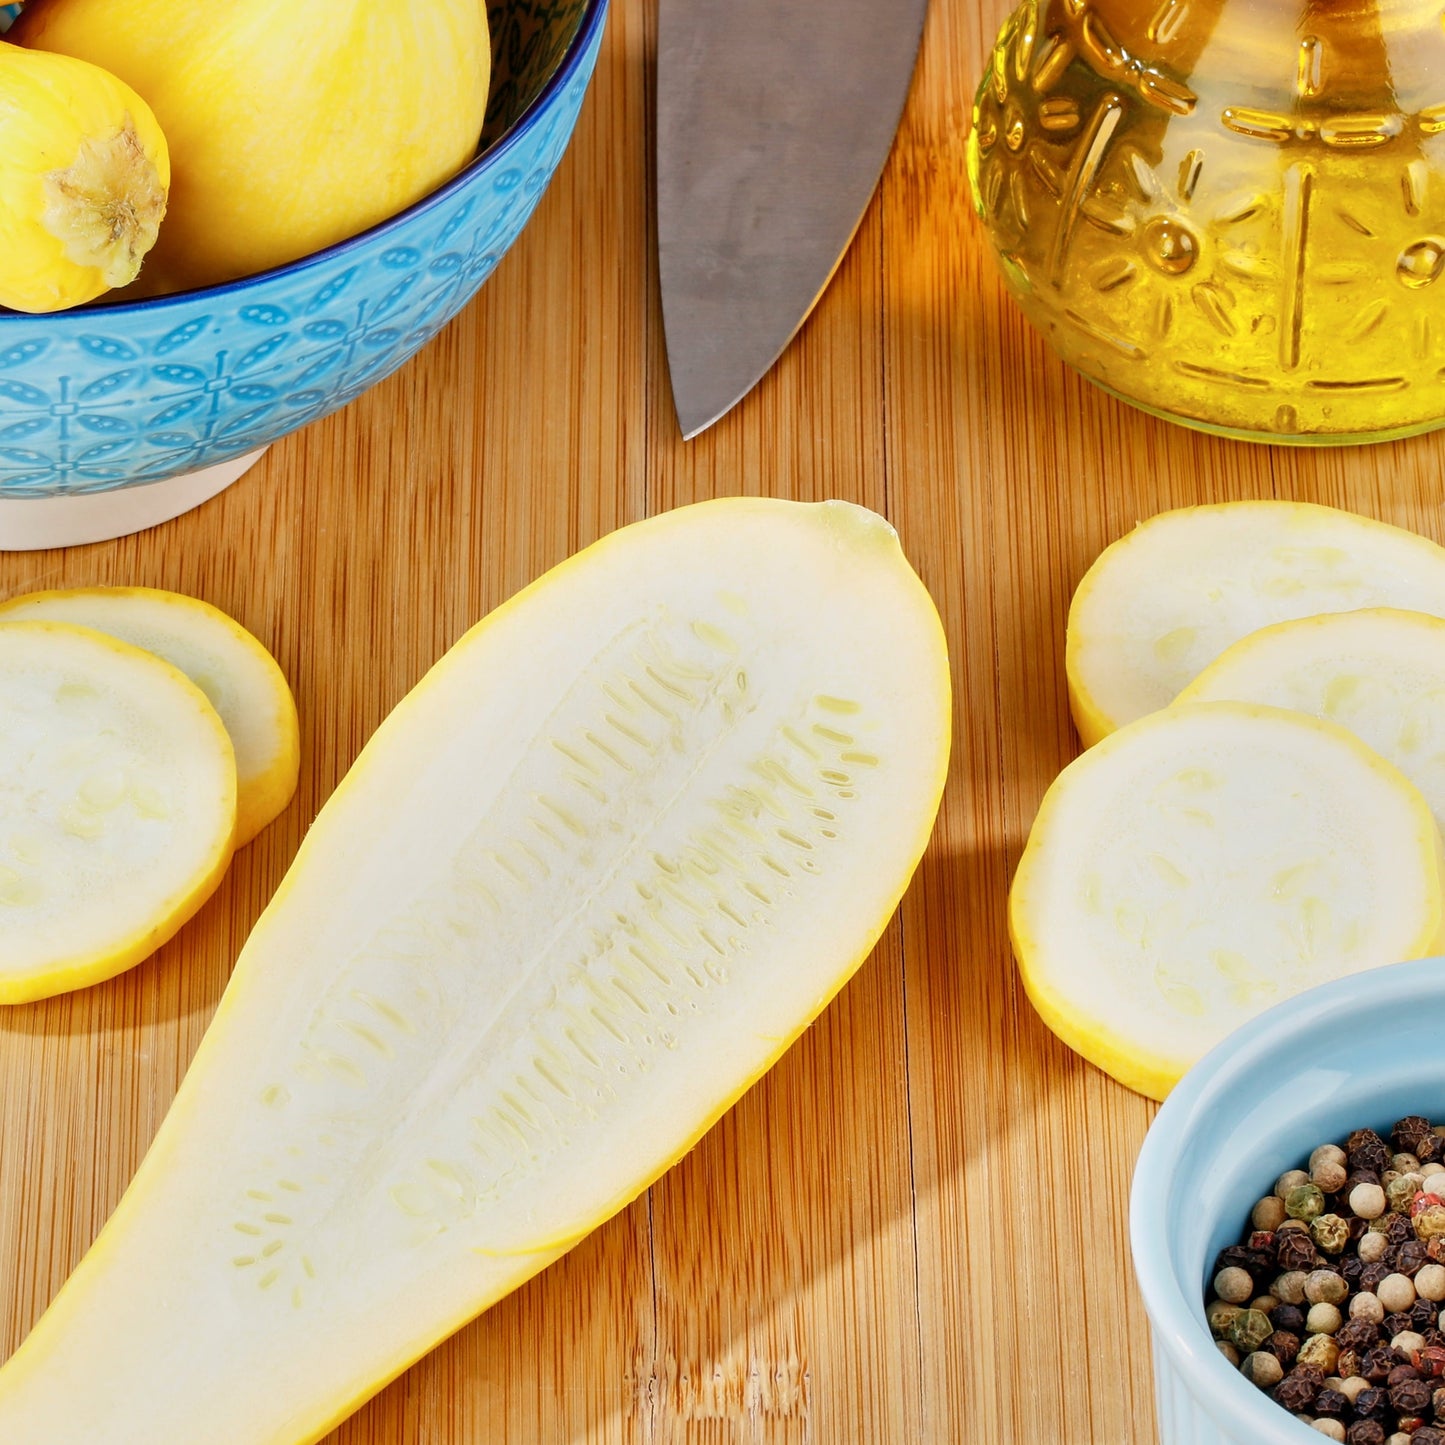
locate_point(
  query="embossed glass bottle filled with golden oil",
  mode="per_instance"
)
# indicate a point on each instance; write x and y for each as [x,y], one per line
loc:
[1230,213]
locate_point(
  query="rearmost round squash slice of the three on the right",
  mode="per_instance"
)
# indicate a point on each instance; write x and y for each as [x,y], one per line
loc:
[1164,602]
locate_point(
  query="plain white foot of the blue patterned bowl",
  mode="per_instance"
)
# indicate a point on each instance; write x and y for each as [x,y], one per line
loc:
[31,524]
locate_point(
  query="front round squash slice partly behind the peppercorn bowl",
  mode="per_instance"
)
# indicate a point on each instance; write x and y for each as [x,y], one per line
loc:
[1207,862]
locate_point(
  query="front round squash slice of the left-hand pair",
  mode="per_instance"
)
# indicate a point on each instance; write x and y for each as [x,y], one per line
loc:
[118,806]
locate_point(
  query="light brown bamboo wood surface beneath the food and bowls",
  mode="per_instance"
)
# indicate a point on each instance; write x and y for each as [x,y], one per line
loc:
[914,1230]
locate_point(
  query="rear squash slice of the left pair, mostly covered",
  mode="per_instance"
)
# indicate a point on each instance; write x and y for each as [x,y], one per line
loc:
[223,660]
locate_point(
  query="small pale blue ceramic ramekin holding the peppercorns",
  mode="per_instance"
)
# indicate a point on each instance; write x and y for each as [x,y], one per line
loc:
[1359,1053]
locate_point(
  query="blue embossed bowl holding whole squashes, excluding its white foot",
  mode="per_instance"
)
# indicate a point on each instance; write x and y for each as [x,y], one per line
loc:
[109,397]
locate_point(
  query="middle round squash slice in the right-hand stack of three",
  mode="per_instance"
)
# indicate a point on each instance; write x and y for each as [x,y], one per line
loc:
[1379,673]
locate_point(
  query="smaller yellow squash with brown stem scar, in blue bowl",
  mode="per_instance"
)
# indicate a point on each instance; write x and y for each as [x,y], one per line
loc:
[85,173]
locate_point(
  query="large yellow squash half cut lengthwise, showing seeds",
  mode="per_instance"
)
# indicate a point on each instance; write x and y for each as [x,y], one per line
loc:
[583,887]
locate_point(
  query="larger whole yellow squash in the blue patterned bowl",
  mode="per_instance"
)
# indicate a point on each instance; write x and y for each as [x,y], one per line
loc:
[293,124]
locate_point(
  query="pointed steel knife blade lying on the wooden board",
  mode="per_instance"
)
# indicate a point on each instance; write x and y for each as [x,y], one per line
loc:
[775,119]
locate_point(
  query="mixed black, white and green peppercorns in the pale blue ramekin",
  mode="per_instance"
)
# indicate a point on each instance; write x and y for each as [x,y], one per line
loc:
[1333,1303]
